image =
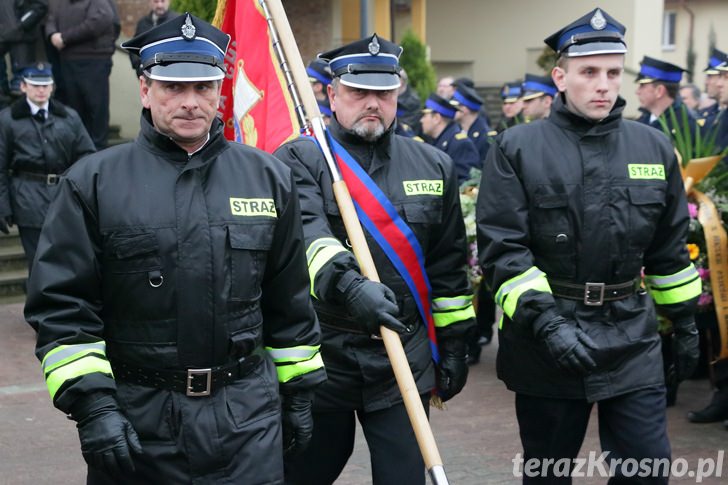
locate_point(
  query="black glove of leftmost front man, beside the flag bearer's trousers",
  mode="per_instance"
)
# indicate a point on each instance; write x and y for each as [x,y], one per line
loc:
[297,421]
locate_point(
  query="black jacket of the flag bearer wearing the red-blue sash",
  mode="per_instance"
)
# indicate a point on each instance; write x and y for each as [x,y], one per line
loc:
[357,366]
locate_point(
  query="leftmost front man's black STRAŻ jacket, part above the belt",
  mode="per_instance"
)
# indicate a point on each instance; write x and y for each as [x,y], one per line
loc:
[176,261]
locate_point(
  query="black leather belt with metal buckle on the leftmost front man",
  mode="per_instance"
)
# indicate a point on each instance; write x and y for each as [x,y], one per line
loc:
[192,382]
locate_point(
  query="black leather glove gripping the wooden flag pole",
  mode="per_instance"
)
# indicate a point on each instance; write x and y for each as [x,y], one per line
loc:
[370,303]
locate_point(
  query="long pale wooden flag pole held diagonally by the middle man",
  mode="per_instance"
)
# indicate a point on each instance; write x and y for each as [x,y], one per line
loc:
[415,410]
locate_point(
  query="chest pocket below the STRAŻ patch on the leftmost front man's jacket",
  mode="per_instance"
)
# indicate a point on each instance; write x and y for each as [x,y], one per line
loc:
[248,249]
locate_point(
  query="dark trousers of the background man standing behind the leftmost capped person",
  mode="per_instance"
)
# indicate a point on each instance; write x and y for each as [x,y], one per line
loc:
[86,88]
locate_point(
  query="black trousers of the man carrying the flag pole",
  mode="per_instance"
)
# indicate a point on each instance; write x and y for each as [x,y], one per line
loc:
[395,456]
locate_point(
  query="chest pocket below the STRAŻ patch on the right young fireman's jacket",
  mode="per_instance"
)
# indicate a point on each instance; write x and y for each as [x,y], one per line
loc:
[646,204]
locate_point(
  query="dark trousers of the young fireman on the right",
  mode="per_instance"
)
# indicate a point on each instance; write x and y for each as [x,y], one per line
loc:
[632,425]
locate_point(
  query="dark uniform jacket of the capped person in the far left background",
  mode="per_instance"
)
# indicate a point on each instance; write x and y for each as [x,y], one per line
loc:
[27,146]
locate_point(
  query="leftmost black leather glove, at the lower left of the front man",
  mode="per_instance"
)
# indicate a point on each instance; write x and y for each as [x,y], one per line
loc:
[107,437]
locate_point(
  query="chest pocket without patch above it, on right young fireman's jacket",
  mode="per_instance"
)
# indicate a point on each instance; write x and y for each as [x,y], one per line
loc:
[553,236]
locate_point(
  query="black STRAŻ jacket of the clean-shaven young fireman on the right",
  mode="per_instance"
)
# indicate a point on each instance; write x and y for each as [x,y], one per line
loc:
[583,202]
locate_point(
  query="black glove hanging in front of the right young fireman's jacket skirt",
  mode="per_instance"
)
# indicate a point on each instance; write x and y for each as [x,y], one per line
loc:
[568,344]
